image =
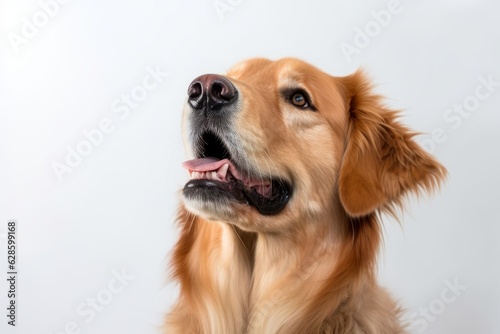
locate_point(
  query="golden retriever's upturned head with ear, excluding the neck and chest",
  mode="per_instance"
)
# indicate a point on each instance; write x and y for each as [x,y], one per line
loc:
[274,144]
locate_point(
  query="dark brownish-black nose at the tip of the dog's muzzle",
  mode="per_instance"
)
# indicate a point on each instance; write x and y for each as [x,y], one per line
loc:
[211,91]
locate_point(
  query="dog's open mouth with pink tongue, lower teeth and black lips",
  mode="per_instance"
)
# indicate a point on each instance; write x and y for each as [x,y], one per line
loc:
[214,175]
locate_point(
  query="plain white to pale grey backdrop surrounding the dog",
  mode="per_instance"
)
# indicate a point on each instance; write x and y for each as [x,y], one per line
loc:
[115,211]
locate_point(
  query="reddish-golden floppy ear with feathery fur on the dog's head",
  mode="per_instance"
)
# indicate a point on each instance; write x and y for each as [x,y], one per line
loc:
[381,162]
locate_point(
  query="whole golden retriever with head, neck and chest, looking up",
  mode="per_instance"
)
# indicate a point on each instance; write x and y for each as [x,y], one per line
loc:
[280,221]
